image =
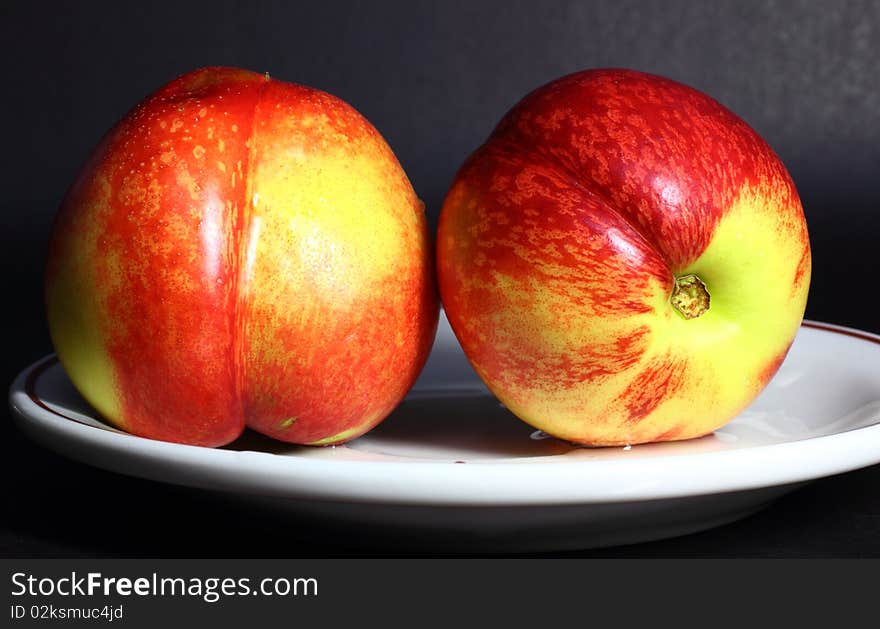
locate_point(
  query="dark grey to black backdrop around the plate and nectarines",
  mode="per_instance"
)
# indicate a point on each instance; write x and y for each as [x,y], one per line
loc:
[434,78]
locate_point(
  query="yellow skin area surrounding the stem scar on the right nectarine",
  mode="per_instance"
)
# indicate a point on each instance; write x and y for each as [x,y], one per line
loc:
[722,356]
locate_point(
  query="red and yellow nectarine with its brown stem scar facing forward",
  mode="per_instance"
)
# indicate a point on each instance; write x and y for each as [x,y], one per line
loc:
[560,240]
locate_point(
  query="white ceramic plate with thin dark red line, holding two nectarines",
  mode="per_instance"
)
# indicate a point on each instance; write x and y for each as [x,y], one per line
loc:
[451,469]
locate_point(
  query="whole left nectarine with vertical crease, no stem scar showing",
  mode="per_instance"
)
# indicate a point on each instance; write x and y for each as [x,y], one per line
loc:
[242,251]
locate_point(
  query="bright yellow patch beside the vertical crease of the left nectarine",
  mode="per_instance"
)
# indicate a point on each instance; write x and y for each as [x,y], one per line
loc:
[320,211]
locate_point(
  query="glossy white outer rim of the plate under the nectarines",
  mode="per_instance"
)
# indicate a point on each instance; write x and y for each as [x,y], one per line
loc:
[506,482]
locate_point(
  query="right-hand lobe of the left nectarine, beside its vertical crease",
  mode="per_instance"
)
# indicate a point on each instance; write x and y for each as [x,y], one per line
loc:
[333,228]
